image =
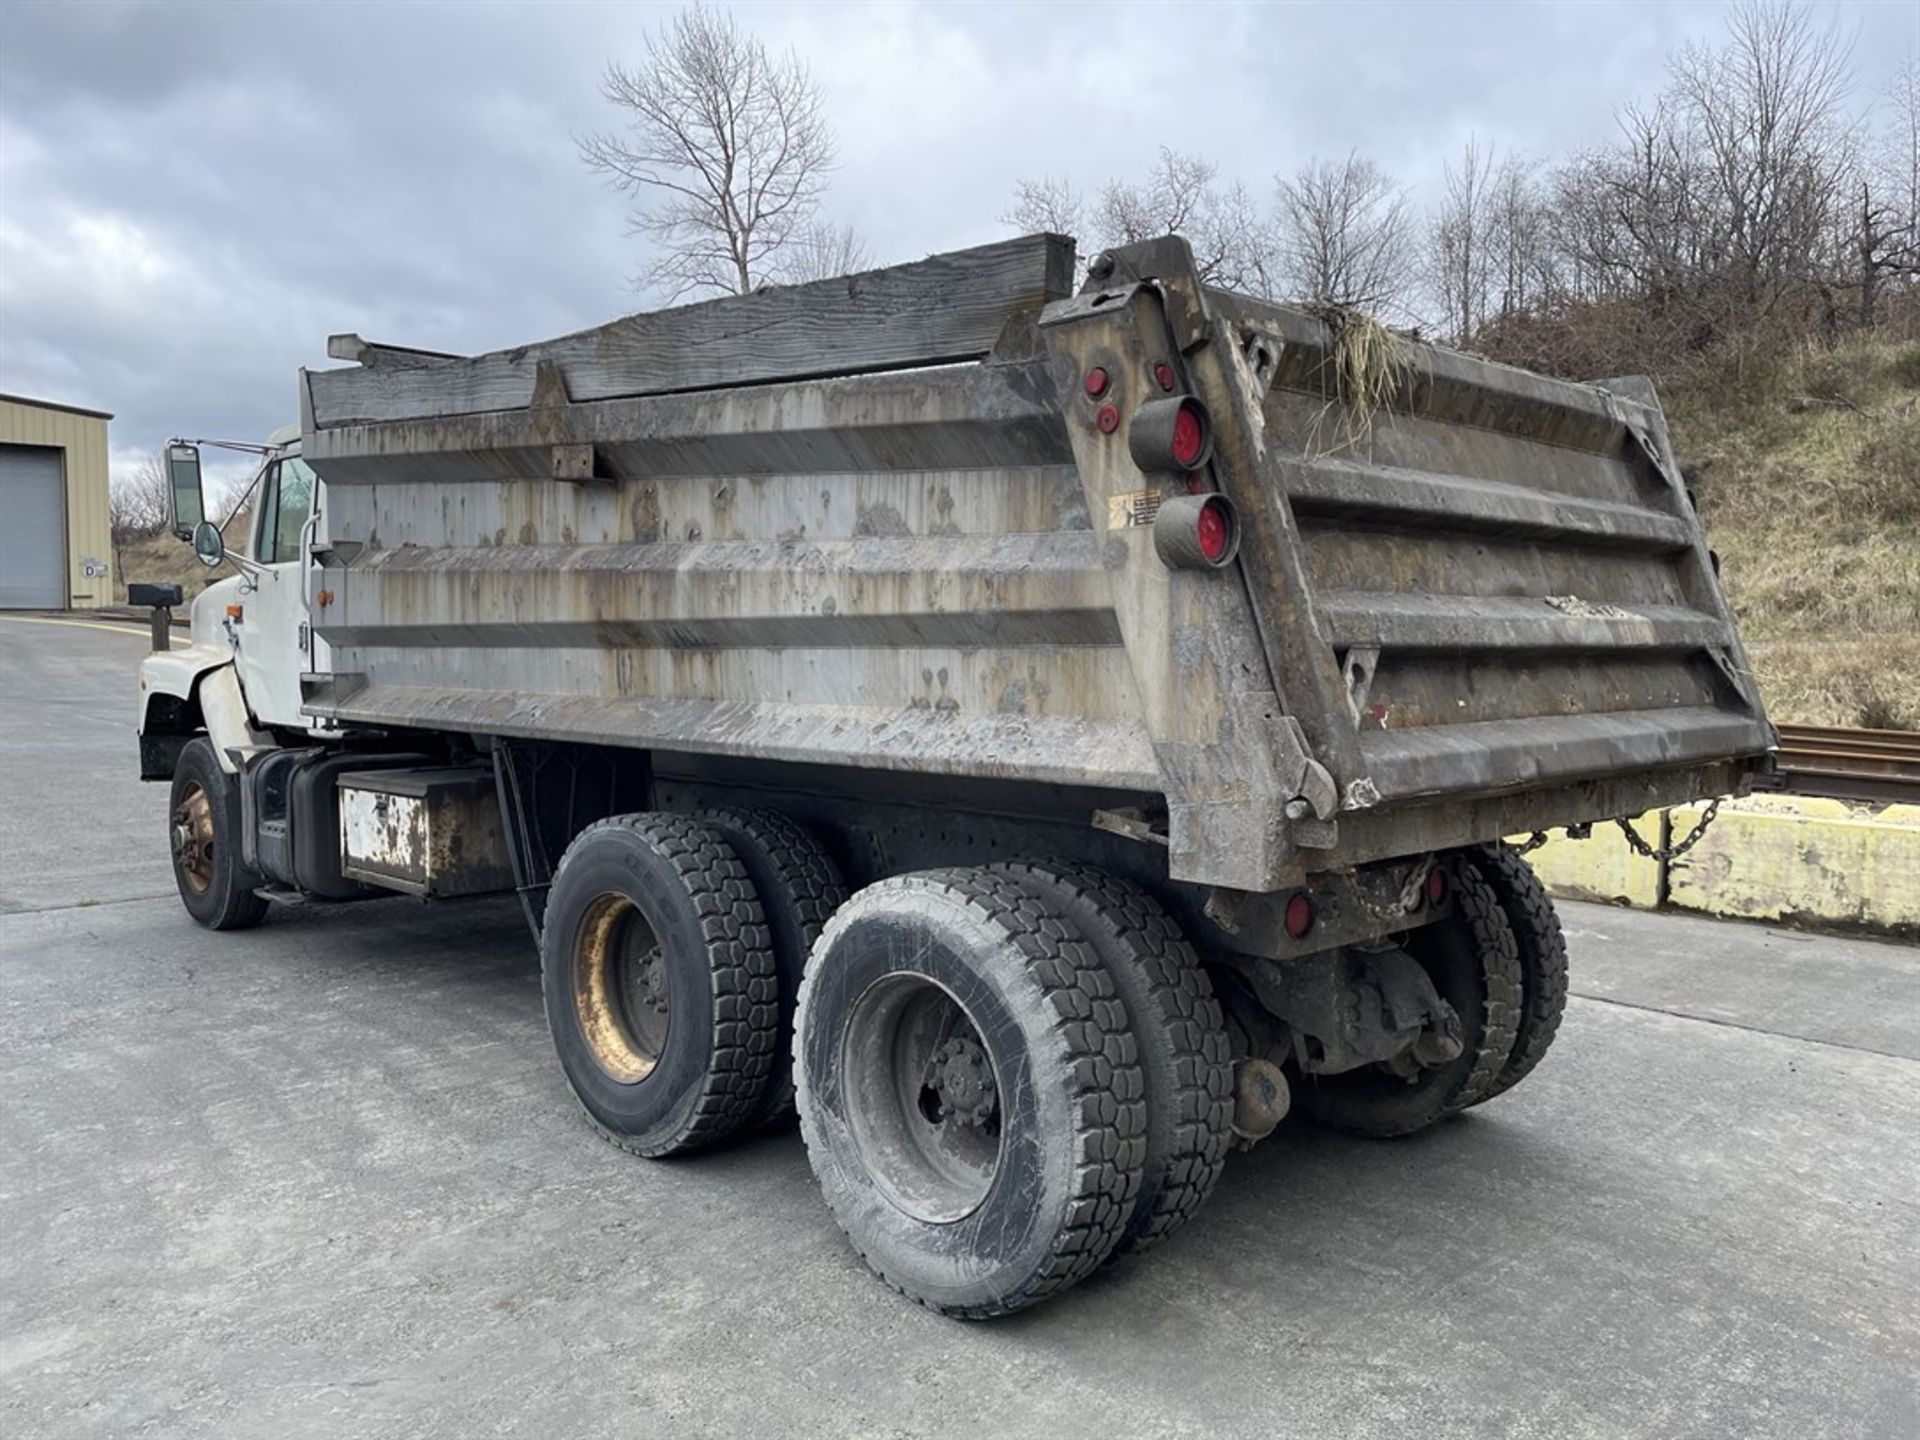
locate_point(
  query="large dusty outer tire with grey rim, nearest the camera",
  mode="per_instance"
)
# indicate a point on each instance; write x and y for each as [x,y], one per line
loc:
[969,1092]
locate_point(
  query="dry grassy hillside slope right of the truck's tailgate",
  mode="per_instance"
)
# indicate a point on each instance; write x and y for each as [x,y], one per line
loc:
[1810,479]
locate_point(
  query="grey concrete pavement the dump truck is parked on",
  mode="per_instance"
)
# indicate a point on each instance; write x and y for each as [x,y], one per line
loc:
[325,1180]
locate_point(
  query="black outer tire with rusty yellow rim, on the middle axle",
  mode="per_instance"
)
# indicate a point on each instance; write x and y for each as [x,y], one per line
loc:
[660,984]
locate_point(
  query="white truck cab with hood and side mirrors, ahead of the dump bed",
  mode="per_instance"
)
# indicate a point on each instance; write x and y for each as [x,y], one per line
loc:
[251,633]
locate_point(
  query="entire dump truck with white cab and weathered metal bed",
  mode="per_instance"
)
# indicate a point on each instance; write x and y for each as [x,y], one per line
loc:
[1038,731]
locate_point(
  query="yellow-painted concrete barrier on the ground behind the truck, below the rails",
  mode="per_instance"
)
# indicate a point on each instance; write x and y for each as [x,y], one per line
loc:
[1767,857]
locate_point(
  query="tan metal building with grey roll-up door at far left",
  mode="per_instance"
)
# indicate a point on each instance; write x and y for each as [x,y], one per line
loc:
[57,548]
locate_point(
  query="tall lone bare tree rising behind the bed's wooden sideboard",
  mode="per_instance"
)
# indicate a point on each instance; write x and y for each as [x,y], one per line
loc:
[725,145]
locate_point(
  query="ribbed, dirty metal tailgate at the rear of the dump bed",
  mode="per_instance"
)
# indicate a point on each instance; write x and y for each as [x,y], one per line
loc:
[1499,585]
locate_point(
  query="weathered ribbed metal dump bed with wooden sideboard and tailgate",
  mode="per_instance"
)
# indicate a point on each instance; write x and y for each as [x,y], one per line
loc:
[896,523]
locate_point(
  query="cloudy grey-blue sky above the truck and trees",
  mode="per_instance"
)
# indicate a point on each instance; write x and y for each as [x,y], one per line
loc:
[193,197]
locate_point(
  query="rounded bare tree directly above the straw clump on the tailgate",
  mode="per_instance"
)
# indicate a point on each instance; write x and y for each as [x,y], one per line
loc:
[1345,235]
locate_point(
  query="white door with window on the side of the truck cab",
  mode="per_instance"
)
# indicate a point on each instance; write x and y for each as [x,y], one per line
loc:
[274,638]
